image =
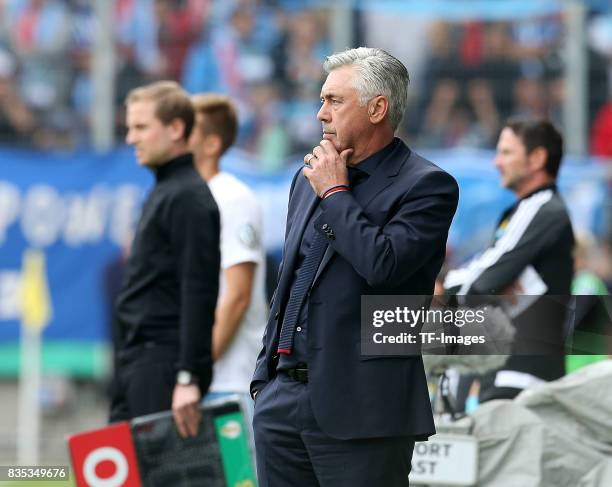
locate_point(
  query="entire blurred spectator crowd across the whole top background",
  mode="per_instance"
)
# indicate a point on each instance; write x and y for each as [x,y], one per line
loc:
[267,55]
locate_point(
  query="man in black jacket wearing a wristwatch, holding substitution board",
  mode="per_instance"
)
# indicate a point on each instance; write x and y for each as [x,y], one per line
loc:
[165,310]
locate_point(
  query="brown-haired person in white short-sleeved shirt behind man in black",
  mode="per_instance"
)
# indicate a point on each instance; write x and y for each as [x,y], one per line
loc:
[241,312]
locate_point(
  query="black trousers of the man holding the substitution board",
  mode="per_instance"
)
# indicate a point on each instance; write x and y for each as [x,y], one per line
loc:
[145,376]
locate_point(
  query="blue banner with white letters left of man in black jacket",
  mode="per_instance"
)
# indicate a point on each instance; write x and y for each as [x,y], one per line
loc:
[78,210]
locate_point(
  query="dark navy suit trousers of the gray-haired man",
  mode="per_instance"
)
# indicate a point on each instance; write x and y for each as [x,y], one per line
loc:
[292,450]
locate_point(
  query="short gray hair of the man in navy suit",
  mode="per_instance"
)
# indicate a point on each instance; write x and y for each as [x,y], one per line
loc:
[379,74]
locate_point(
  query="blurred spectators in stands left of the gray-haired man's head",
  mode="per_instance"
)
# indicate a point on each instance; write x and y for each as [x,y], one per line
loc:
[266,55]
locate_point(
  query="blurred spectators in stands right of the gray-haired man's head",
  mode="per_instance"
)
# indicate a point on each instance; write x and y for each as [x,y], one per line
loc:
[480,73]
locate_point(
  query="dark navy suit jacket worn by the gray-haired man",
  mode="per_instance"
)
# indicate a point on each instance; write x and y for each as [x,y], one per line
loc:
[388,236]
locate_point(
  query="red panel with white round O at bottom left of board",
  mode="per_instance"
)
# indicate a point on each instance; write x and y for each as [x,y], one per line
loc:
[105,457]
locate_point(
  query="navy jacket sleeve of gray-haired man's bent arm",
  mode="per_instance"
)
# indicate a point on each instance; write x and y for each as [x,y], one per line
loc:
[388,255]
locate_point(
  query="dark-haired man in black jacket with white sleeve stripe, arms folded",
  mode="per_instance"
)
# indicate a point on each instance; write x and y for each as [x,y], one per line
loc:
[530,255]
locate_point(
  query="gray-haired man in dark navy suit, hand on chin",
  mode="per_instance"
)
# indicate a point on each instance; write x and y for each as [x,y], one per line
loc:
[366,216]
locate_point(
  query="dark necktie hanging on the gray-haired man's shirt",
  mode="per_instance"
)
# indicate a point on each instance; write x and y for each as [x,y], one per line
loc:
[299,290]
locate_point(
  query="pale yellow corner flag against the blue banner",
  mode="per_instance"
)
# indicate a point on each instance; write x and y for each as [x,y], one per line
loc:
[36,310]
